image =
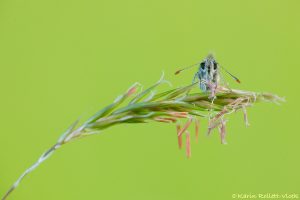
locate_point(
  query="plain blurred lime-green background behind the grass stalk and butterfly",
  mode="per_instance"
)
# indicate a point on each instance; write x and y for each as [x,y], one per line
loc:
[62,59]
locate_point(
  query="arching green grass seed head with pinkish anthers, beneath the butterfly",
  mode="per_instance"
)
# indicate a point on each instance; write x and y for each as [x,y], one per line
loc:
[169,106]
